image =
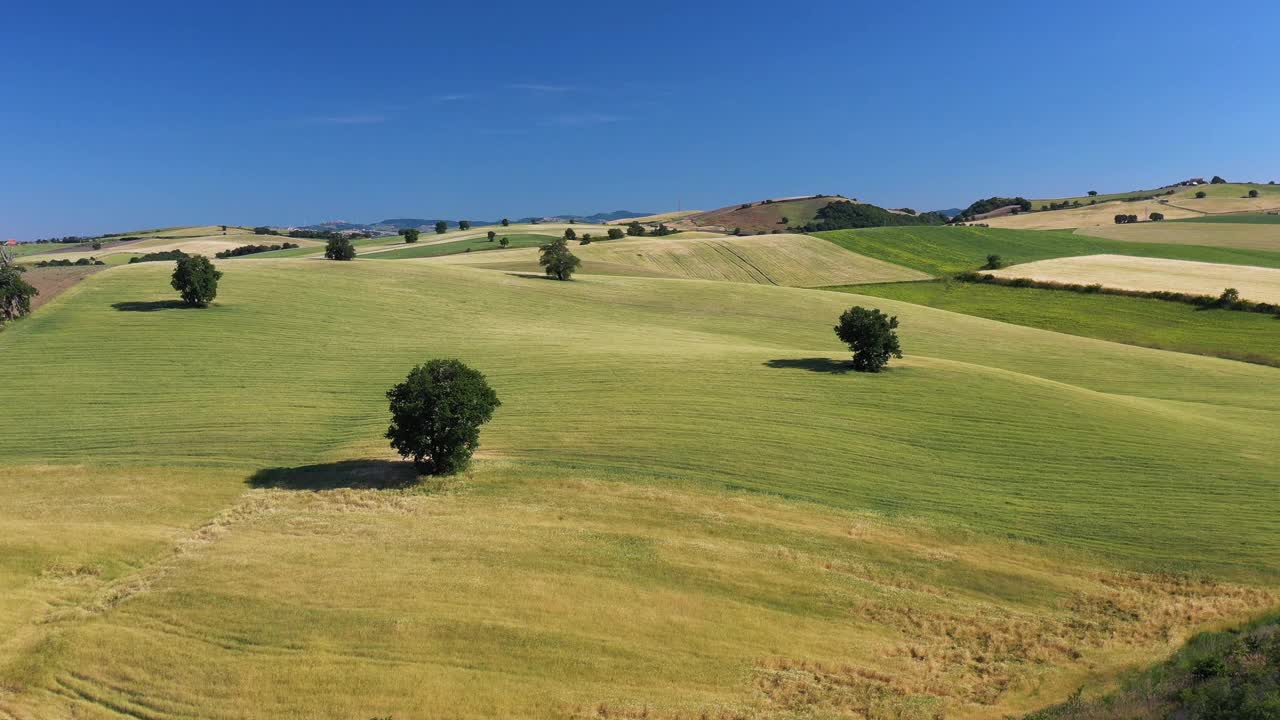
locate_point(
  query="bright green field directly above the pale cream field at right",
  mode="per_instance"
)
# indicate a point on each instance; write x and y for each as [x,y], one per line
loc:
[941,252]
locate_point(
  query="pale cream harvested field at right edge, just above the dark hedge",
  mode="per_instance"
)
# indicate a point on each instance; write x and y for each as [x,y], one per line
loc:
[1123,272]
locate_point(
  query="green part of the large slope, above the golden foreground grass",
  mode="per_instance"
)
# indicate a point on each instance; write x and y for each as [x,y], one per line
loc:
[724,335]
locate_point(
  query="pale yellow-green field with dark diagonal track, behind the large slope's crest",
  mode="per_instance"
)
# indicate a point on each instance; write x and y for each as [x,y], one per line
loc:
[794,261]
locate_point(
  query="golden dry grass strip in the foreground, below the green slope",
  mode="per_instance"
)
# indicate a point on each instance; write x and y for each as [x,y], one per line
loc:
[516,593]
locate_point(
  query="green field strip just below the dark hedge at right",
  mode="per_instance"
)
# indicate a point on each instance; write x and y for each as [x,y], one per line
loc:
[1133,321]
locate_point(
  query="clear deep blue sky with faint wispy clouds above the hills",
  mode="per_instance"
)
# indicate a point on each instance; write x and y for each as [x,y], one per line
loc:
[145,115]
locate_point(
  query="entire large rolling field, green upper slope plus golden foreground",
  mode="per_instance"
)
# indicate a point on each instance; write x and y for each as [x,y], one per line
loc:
[684,507]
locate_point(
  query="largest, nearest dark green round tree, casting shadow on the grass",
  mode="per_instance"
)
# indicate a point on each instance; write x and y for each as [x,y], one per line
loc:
[437,414]
